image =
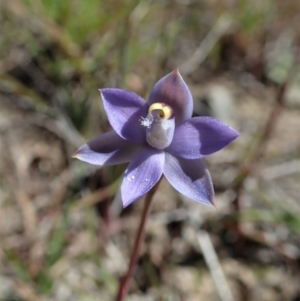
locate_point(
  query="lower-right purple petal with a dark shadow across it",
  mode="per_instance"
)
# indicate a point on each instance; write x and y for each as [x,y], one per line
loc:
[190,178]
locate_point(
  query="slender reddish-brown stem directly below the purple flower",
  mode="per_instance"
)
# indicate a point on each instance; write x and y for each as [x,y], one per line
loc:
[123,287]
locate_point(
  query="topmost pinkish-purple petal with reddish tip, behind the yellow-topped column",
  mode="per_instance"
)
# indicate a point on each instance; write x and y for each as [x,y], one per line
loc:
[173,91]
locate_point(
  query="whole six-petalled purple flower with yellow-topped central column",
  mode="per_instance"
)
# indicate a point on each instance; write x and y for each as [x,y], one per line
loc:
[158,137]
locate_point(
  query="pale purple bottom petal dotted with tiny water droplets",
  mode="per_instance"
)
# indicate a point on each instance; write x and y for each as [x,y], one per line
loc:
[142,174]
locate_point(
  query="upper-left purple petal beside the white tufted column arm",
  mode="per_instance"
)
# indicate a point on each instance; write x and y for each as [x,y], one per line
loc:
[124,110]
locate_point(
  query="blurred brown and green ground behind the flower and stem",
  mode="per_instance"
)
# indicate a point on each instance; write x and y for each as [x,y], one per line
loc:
[63,233]
